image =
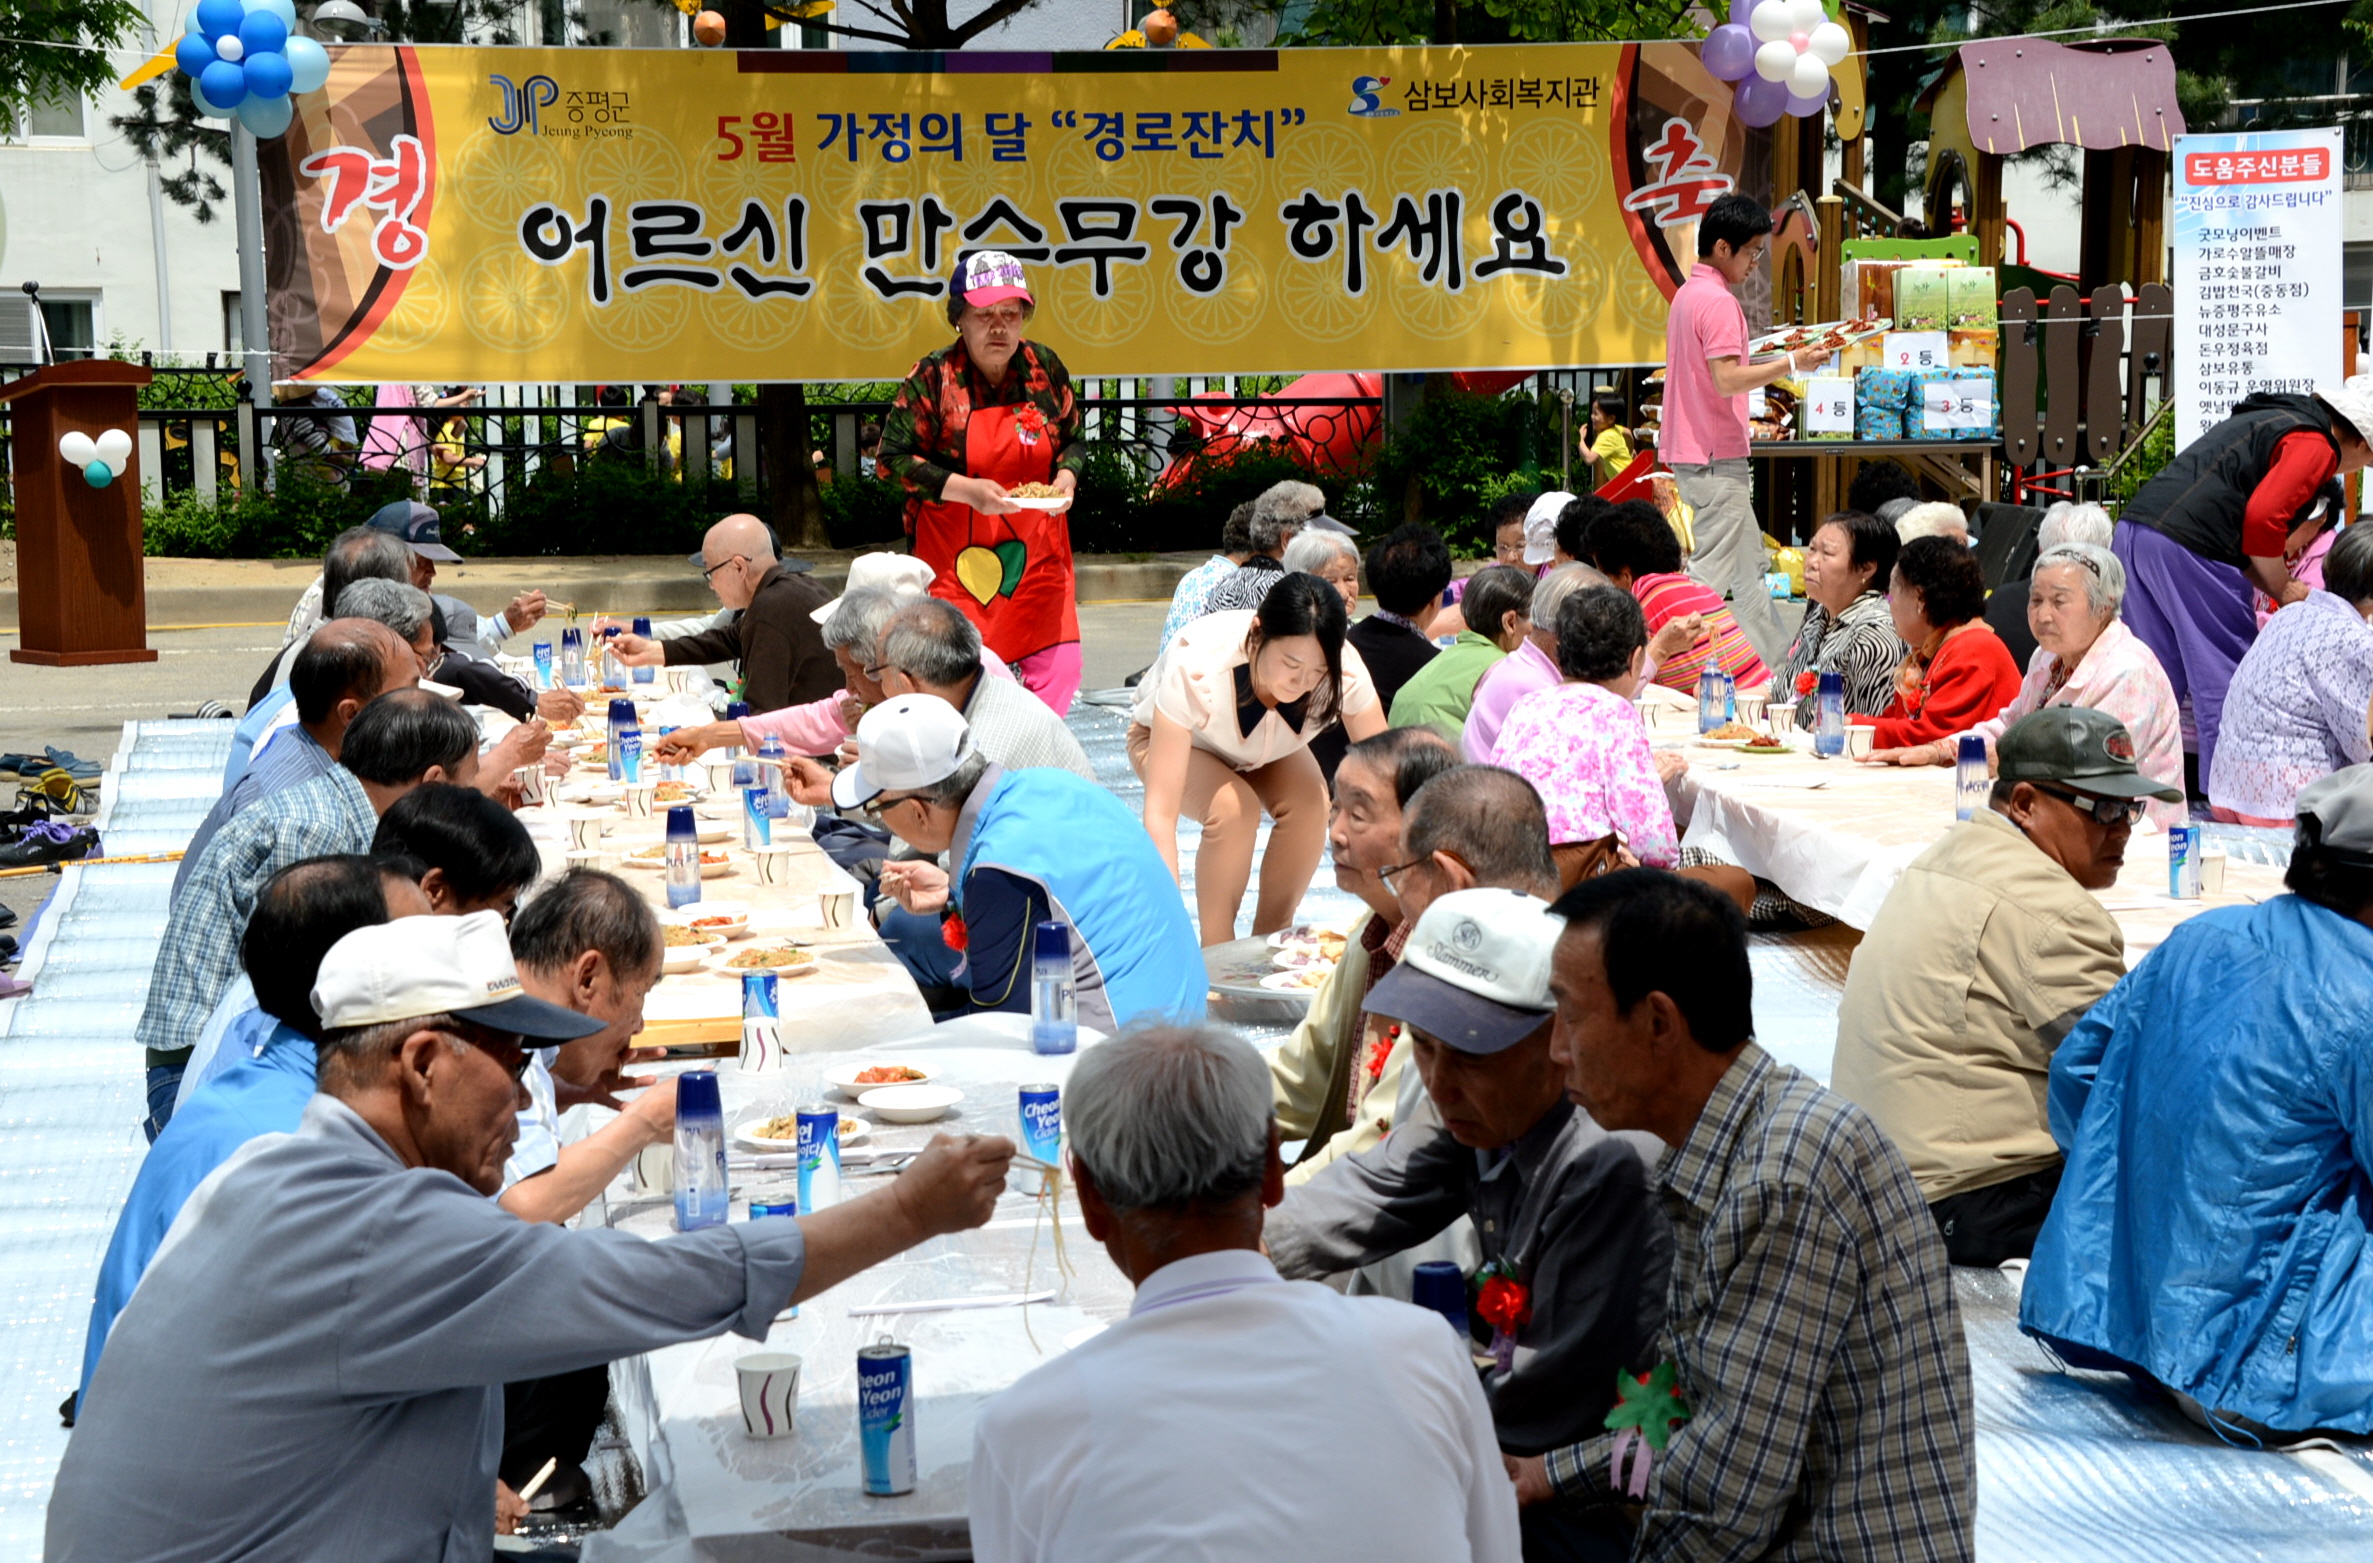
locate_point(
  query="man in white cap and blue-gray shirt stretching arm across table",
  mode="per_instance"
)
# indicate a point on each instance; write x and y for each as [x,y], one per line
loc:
[314,1363]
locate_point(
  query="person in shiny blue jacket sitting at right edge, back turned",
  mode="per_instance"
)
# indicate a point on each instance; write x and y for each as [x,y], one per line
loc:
[2218,1121]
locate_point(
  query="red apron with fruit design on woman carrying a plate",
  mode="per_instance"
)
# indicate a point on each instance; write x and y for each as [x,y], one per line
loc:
[1007,573]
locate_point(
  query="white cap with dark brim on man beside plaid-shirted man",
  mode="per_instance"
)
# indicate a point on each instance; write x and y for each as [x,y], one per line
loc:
[1475,974]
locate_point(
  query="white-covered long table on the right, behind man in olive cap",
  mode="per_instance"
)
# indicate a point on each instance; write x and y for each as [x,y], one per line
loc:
[1836,834]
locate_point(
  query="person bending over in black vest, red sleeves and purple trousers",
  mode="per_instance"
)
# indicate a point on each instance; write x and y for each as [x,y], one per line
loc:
[2225,518]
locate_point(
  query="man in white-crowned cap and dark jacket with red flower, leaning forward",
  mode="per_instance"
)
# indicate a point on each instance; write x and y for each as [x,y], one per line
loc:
[1574,1251]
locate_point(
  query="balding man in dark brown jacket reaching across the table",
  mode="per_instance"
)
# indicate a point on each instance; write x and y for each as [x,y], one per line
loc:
[777,639]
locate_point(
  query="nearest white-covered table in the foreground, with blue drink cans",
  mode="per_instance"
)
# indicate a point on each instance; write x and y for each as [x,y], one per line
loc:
[718,1493]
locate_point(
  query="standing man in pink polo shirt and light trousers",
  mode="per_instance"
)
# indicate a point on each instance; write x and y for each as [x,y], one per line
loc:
[1705,414]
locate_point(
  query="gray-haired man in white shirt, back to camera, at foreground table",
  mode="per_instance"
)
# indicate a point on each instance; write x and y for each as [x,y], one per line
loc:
[1230,1405]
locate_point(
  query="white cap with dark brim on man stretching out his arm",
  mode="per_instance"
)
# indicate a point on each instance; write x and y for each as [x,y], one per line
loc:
[438,966]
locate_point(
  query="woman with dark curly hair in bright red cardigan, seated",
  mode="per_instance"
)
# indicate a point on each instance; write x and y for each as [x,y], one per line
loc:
[1959,672]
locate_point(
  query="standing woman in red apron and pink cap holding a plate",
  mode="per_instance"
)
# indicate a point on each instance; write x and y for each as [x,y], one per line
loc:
[972,423]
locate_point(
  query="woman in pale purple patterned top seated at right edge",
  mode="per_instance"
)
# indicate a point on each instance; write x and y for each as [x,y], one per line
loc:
[2298,703]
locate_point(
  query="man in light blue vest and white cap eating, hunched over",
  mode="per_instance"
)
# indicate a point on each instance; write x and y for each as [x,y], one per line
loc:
[1029,848]
